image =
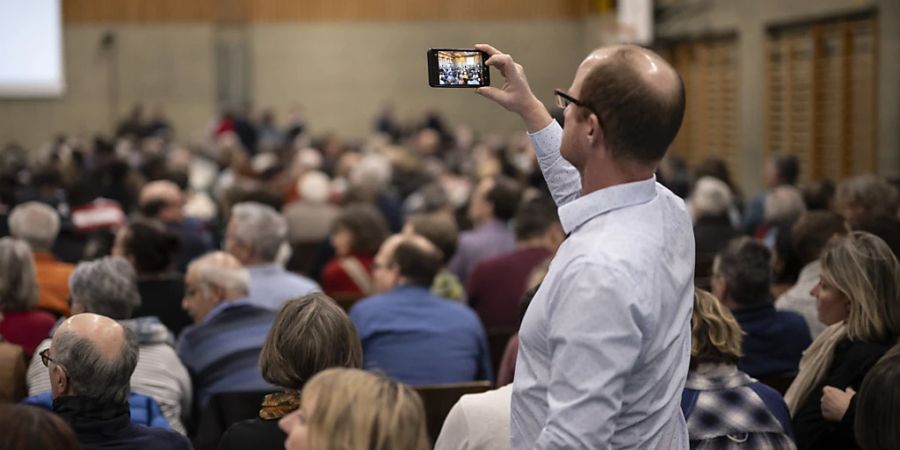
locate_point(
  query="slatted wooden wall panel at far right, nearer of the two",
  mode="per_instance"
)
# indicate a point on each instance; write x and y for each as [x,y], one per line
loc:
[821,95]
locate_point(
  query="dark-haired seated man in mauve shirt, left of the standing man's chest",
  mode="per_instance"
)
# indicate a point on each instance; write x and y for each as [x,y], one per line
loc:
[492,206]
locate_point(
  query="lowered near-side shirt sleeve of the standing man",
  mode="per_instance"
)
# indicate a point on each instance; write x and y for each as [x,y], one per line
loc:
[595,339]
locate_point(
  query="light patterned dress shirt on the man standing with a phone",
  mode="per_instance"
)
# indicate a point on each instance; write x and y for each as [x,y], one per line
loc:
[605,345]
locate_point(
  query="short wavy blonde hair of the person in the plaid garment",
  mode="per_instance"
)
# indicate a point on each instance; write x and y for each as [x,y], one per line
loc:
[715,334]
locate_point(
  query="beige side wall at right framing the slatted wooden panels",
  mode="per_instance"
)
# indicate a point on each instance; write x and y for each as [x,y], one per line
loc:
[749,20]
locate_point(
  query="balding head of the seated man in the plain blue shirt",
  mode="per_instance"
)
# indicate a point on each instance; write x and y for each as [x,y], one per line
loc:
[406,259]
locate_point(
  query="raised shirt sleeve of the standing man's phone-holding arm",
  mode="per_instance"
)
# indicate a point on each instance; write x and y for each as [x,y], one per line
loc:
[562,177]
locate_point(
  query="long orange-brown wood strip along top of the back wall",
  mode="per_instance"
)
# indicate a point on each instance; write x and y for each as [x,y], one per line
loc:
[136,11]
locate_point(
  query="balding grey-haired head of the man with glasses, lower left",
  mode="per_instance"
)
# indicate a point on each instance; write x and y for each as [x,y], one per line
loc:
[93,356]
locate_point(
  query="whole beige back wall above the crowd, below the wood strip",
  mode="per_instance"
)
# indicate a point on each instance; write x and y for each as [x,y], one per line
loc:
[342,73]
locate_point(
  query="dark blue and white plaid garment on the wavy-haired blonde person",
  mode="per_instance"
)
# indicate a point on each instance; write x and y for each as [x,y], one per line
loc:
[726,409]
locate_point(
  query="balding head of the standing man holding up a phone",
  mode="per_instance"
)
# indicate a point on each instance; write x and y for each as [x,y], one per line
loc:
[638,97]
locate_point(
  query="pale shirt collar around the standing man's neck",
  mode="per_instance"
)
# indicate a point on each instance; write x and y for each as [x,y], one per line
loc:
[576,213]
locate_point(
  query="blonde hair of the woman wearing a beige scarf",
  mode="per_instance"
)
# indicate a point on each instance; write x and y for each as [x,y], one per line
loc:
[866,271]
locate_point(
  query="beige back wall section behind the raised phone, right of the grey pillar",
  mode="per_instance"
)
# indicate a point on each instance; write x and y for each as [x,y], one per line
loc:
[343,73]
